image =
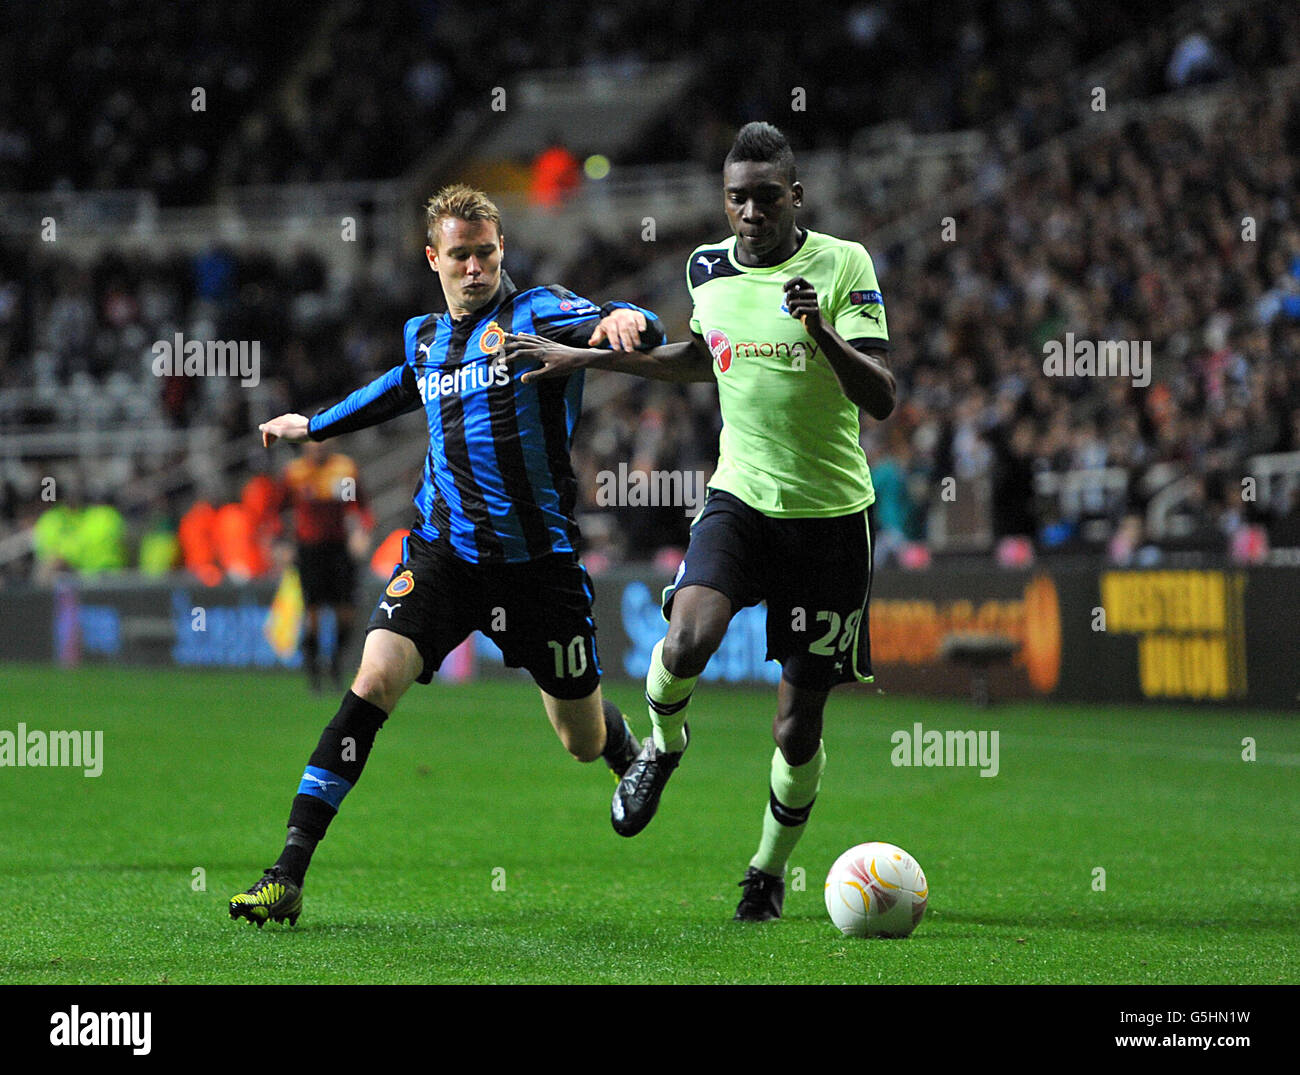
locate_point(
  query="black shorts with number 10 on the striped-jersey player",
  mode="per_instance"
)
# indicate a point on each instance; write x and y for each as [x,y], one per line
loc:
[539,613]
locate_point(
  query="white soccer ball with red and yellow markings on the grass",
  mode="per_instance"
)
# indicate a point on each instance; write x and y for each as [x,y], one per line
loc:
[876,891]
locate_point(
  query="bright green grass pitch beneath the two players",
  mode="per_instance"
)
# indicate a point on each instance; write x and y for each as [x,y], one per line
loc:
[469,786]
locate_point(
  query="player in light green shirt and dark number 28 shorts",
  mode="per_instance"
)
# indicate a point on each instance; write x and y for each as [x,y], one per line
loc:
[792,326]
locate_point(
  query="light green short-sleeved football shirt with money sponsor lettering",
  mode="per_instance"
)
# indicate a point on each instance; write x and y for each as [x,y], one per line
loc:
[790,441]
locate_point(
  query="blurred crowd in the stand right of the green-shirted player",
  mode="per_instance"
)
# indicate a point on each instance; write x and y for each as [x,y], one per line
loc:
[1189,240]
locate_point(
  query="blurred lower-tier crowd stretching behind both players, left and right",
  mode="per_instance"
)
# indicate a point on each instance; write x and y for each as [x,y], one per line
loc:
[1155,232]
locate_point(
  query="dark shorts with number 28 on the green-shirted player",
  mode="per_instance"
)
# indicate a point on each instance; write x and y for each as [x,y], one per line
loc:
[813,574]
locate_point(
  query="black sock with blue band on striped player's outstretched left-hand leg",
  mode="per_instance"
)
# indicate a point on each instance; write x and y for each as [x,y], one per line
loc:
[332,773]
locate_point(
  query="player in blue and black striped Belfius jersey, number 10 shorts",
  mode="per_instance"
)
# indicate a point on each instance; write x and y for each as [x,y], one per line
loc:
[495,543]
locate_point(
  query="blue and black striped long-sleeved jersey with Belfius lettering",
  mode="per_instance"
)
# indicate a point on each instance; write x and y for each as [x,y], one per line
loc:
[499,483]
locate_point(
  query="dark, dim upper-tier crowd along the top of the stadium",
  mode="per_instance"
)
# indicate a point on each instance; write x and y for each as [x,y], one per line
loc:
[358,92]
